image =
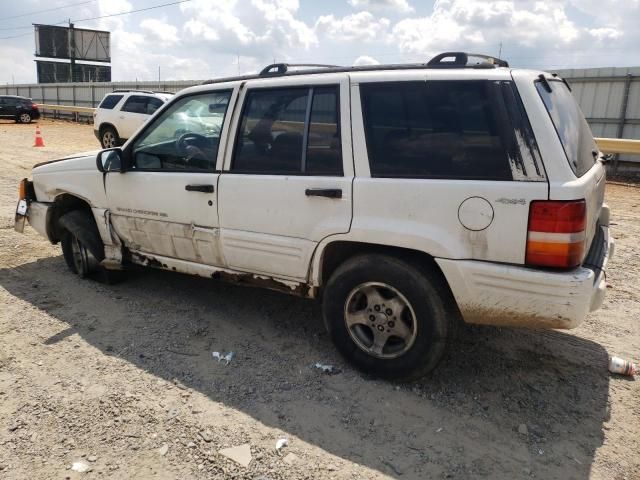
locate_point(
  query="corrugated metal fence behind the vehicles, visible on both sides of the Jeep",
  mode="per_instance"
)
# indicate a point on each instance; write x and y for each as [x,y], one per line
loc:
[609,97]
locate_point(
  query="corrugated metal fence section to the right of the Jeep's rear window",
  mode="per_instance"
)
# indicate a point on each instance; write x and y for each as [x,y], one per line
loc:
[610,99]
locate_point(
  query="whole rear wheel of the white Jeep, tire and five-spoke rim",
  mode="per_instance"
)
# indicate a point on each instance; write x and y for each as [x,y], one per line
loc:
[387,317]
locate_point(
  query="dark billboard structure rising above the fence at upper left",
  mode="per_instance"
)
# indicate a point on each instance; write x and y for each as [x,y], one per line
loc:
[73,44]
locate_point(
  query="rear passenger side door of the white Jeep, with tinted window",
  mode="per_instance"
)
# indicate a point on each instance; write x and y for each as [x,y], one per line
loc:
[287,180]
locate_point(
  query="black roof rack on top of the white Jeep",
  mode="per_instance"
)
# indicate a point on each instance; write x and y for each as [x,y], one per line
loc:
[460,60]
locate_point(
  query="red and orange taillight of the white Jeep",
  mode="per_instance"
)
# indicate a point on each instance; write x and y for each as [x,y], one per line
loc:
[556,233]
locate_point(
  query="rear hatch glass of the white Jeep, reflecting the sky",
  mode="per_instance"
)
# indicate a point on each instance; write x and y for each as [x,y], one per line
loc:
[573,130]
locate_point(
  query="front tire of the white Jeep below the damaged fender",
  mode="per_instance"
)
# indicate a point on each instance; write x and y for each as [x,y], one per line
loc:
[77,250]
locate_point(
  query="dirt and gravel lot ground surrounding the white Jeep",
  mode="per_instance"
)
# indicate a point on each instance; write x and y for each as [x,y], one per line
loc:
[122,377]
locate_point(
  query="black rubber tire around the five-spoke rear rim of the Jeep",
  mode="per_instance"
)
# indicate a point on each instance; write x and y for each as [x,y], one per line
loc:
[427,296]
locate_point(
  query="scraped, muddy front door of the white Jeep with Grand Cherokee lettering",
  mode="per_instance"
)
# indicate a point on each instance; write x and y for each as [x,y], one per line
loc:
[165,203]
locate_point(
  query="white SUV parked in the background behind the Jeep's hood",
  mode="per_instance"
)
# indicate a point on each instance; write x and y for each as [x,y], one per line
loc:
[122,112]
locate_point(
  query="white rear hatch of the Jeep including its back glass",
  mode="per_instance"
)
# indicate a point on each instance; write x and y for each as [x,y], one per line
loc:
[580,149]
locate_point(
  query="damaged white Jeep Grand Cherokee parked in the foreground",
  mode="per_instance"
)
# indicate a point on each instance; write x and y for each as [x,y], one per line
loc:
[405,197]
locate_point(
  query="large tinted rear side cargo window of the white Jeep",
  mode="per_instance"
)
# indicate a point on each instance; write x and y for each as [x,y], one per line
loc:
[435,129]
